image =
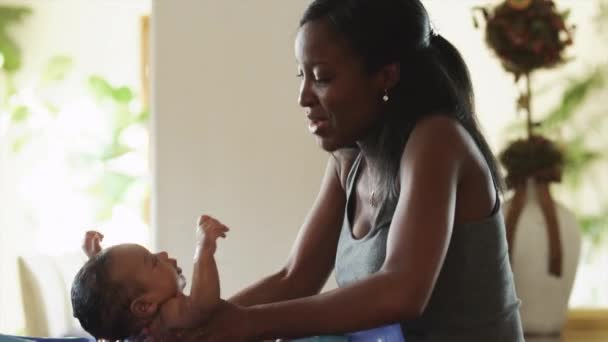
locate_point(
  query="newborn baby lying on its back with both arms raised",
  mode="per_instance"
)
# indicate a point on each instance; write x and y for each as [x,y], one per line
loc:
[126,292]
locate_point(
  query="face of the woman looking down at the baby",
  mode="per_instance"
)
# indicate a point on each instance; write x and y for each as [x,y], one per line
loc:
[342,101]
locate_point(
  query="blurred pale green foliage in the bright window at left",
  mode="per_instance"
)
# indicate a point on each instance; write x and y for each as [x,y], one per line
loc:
[120,104]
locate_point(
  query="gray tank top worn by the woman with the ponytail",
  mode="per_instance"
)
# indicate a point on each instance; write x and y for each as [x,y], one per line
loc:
[474,297]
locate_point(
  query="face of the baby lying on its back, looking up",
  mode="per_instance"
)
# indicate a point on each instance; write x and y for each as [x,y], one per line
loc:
[157,274]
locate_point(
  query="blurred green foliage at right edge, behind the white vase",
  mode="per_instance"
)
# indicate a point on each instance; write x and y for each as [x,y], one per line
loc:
[578,126]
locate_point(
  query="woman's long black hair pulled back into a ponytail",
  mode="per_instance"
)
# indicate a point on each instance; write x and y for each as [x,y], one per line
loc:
[434,77]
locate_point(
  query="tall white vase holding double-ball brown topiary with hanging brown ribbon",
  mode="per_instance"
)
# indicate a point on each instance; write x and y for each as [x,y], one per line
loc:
[543,236]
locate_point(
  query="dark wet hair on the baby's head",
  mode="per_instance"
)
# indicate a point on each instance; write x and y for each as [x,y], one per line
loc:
[102,305]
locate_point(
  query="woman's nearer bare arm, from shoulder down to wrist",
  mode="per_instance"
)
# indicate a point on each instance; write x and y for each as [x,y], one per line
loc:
[417,244]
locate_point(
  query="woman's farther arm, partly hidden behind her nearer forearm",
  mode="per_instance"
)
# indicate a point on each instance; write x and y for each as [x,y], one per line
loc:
[312,257]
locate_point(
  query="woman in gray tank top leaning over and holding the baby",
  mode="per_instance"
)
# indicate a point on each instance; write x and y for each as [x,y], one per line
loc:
[408,210]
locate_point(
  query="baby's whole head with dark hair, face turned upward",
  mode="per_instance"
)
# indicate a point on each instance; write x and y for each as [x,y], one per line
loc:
[119,291]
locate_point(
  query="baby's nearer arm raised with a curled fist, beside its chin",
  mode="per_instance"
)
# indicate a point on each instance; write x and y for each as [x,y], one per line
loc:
[189,311]
